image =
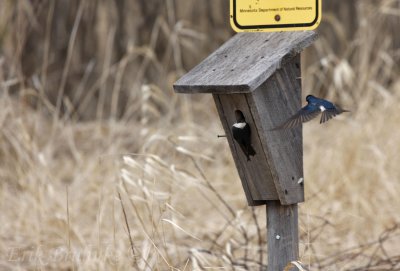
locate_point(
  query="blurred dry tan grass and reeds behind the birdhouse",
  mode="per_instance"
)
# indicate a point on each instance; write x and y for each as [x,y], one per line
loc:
[91,129]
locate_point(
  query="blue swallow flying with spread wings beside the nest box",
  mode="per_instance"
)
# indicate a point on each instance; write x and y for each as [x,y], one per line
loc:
[311,110]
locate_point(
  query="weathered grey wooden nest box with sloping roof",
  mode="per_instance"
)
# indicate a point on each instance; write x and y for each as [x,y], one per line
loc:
[259,75]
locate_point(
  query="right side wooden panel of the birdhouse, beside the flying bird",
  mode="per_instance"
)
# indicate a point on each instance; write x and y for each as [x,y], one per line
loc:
[271,104]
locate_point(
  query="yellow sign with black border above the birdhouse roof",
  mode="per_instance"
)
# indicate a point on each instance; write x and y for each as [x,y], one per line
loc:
[274,15]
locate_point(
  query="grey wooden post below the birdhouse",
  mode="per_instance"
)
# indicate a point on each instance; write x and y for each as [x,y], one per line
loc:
[282,235]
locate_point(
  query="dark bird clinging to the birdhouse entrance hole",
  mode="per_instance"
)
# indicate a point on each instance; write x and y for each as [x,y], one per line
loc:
[242,134]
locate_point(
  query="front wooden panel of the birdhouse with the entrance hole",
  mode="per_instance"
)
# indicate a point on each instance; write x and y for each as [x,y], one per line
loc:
[255,174]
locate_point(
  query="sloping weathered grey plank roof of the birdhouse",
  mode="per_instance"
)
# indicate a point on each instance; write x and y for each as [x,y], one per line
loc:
[244,62]
